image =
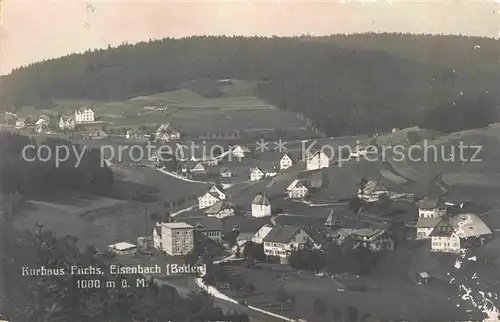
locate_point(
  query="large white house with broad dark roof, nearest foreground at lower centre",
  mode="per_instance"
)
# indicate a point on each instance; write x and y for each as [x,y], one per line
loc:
[282,240]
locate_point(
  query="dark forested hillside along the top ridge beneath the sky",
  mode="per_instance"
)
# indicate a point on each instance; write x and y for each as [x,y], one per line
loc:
[335,81]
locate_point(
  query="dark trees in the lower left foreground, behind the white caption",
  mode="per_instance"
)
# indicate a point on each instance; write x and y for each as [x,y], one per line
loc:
[58,297]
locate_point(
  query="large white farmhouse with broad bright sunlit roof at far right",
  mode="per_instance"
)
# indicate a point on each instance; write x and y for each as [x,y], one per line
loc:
[461,231]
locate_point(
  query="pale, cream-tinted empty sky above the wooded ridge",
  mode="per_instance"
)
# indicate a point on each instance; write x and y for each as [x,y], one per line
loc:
[35,30]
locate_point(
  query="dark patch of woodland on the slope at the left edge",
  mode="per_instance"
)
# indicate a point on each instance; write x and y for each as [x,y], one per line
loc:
[28,174]
